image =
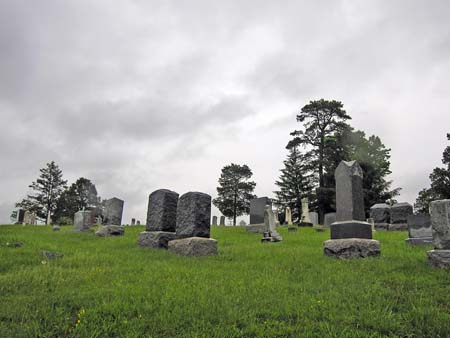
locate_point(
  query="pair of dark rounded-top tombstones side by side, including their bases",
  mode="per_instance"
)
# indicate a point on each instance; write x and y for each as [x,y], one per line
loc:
[179,224]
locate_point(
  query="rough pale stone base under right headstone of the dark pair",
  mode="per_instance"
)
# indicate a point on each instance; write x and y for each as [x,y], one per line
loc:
[193,246]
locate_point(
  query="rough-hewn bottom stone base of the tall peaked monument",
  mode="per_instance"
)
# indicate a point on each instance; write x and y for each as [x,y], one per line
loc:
[351,248]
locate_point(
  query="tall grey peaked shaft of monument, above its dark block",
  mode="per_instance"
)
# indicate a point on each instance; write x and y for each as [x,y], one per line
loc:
[349,192]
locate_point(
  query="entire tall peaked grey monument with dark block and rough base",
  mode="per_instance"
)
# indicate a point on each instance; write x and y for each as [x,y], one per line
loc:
[351,236]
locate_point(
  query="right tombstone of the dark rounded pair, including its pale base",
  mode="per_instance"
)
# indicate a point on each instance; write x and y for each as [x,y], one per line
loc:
[193,226]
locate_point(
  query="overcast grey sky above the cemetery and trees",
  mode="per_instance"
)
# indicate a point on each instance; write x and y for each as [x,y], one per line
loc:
[142,95]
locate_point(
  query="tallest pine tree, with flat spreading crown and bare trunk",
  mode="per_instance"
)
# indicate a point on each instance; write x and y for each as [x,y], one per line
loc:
[321,119]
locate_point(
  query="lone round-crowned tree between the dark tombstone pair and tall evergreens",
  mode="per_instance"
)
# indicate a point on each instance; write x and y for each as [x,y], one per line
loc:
[235,191]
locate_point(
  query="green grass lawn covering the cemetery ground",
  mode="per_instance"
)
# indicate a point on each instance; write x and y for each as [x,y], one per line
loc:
[110,287]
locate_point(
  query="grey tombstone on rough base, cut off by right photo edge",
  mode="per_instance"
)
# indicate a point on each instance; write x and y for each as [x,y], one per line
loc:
[440,224]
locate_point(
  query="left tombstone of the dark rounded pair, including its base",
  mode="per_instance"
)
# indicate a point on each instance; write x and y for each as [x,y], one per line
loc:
[161,219]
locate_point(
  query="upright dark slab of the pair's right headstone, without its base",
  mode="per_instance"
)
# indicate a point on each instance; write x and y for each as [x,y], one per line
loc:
[194,215]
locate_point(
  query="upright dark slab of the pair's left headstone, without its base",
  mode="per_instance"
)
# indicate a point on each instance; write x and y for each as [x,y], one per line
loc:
[162,211]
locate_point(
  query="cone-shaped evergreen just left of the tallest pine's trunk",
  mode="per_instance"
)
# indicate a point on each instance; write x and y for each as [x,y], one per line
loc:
[295,182]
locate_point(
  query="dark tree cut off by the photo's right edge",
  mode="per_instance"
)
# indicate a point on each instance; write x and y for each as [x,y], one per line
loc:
[440,184]
